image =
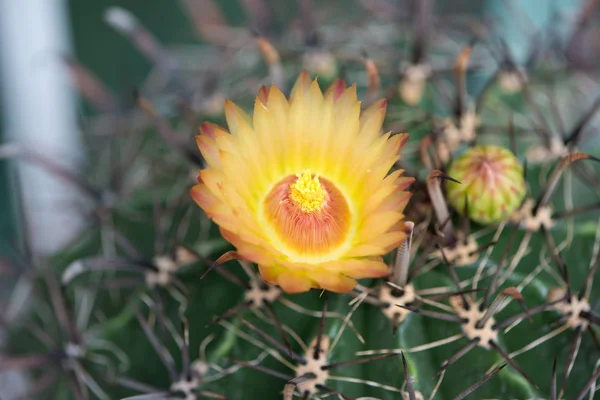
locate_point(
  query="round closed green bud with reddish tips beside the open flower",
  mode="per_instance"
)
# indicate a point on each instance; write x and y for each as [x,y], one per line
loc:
[491,179]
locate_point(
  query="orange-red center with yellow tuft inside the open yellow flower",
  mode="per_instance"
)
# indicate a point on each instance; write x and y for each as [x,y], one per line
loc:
[309,214]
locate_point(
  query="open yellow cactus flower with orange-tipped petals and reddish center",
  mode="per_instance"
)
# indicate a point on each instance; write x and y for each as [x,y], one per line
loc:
[302,189]
